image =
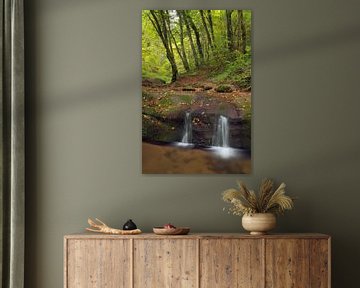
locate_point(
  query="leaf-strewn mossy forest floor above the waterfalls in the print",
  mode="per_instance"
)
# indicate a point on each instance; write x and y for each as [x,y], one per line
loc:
[191,92]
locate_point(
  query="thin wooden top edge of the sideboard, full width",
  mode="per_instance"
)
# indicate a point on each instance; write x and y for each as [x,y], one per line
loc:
[200,236]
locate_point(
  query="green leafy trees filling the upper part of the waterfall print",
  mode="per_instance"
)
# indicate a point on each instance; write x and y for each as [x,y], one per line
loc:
[184,41]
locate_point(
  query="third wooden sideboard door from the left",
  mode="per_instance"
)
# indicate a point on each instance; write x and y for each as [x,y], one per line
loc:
[231,263]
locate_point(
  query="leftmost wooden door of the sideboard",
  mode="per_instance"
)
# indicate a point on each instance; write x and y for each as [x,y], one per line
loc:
[98,263]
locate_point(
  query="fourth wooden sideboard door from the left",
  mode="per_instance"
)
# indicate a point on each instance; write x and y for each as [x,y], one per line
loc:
[287,263]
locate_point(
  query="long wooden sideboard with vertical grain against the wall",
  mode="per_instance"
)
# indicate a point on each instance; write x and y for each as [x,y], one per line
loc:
[197,260]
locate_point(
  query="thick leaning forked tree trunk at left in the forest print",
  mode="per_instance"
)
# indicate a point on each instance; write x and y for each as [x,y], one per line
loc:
[159,22]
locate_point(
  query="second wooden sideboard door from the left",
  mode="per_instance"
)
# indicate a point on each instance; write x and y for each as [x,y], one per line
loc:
[165,263]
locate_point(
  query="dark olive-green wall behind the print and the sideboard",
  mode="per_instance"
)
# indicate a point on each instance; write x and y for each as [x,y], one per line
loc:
[84,138]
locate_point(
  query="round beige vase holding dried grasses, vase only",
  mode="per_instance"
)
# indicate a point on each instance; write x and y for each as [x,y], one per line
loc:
[259,223]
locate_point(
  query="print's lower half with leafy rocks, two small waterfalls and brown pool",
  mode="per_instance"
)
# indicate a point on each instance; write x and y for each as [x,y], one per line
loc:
[180,123]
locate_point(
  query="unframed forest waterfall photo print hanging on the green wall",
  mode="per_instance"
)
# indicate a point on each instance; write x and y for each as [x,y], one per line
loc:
[196,91]
